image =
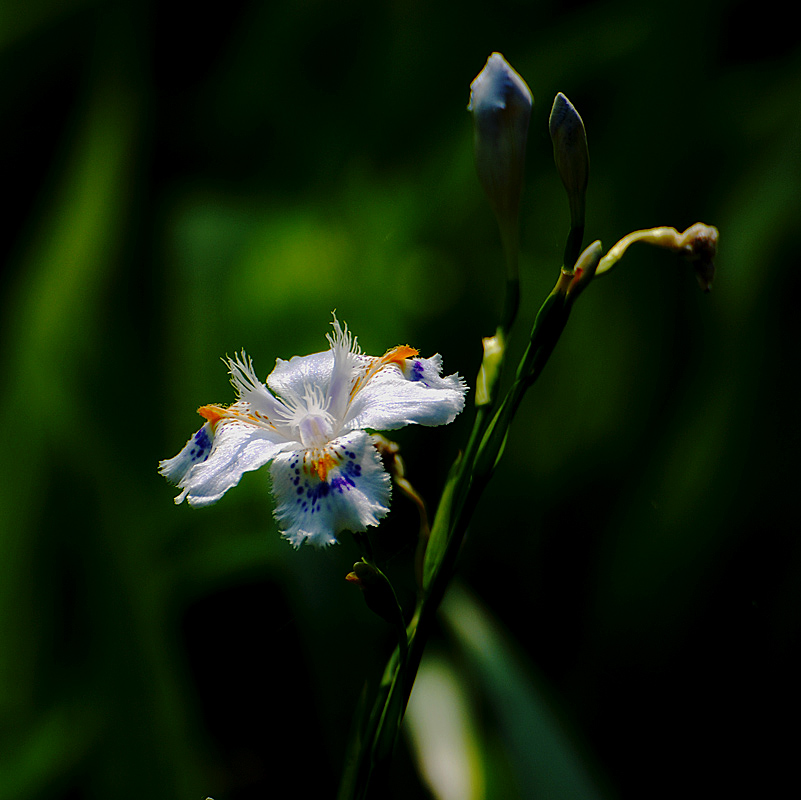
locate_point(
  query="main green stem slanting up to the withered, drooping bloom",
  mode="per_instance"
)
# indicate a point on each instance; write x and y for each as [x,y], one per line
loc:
[367,769]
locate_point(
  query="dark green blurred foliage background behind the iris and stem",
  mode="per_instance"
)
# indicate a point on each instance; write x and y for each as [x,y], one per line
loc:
[185,181]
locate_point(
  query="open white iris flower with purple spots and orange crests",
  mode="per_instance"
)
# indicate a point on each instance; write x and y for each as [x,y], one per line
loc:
[312,422]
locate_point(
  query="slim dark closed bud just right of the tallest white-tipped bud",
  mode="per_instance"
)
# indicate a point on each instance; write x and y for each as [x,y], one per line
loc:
[572,159]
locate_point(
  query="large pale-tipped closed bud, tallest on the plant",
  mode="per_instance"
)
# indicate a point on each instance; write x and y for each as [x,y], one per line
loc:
[501,105]
